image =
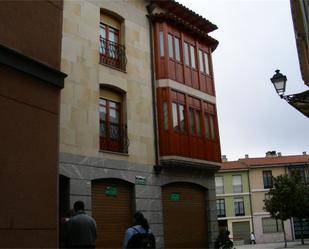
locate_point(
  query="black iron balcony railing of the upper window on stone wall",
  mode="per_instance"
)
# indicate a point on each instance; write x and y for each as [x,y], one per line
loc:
[112,54]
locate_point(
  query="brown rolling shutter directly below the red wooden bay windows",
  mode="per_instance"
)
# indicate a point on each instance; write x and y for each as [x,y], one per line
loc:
[184,214]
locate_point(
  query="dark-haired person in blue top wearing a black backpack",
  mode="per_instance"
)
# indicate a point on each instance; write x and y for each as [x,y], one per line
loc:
[139,236]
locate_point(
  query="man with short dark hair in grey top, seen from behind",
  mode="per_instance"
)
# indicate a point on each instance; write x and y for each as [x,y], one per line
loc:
[81,229]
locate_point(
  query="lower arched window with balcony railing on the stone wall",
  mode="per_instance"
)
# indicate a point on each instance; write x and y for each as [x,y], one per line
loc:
[113,134]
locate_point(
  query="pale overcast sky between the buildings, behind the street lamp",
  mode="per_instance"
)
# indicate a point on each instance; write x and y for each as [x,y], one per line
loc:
[255,38]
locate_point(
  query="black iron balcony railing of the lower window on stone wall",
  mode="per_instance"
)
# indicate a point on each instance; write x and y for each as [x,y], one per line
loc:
[115,138]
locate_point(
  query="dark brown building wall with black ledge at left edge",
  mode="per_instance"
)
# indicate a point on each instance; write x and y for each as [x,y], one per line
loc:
[30,85]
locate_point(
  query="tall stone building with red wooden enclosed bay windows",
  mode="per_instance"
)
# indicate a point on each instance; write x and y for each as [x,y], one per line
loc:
[138,127]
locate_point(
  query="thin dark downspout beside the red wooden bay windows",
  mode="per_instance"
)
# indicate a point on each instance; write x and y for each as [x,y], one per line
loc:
[157,167]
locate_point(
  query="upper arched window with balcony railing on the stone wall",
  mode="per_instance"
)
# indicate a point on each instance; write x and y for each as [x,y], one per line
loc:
[111,51]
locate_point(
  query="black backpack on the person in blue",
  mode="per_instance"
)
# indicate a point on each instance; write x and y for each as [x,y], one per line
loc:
[142,241]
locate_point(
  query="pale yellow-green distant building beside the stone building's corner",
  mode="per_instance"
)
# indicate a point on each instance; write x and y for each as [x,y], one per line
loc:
[233,200]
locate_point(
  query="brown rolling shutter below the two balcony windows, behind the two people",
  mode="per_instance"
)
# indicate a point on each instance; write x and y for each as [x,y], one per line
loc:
[112,211]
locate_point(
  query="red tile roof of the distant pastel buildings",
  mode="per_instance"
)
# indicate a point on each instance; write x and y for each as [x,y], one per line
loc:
[246,163]
